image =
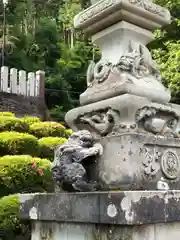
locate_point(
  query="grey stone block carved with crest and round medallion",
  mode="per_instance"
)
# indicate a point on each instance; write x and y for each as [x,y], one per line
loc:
[136,162]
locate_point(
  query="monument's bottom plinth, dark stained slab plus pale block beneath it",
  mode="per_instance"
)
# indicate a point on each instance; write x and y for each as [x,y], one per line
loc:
[143,215]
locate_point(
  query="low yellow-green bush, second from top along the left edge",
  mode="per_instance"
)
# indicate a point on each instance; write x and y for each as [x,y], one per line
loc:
[8,123]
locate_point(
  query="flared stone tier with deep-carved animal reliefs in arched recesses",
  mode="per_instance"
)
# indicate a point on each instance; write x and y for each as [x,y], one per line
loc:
[126,113]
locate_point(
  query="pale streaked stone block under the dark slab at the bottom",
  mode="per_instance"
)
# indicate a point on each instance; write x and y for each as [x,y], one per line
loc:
[64,231]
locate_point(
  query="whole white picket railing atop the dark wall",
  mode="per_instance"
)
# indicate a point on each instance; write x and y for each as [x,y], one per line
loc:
[21,82]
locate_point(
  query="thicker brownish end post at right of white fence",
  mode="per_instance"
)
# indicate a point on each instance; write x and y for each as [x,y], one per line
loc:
[40,84]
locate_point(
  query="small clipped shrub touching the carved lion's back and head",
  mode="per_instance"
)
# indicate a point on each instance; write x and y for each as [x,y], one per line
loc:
[48,145]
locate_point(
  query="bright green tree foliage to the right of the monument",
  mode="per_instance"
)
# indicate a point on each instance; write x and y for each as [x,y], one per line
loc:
[166,49]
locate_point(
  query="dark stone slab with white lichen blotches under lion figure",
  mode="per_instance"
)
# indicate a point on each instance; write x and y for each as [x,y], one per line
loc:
[124,208]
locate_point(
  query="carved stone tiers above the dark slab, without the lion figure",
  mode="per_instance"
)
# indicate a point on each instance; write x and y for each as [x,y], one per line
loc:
[126,107]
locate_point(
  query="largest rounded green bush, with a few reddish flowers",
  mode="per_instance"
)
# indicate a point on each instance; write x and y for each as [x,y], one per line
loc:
[23,174]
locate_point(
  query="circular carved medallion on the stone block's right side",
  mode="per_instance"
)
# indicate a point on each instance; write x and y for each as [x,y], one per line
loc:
[170,164]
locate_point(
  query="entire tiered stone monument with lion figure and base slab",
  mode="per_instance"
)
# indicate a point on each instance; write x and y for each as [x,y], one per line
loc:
[120,169]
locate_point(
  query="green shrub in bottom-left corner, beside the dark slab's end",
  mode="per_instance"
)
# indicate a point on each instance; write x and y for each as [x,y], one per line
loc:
[9,219]
